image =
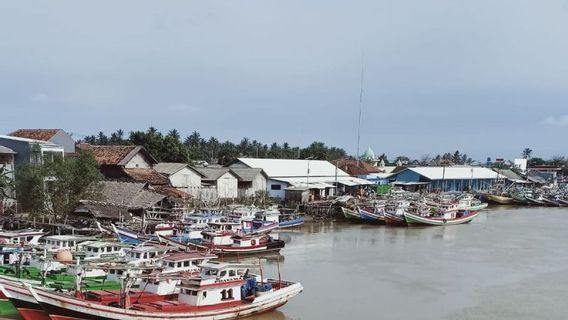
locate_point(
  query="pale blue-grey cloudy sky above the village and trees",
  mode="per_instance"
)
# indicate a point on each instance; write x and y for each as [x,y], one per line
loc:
[486,77]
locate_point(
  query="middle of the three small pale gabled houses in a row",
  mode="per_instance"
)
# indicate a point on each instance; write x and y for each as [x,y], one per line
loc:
[222,179]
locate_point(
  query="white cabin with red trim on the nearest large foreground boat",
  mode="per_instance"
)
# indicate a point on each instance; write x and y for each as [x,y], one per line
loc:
[218,283]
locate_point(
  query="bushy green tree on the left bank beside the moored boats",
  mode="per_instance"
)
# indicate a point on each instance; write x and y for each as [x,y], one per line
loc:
[55,187]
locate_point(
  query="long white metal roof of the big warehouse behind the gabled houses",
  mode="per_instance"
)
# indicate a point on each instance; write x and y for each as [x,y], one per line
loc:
[279,168]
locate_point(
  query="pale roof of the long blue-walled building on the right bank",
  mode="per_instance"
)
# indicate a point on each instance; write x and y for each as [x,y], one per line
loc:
[449,173]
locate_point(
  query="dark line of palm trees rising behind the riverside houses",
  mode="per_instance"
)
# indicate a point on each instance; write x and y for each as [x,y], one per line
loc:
[171,147]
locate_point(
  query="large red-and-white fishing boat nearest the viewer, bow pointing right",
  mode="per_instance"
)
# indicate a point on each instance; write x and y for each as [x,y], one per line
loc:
[221,291]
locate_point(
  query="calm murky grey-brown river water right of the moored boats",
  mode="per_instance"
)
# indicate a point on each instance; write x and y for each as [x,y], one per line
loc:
[509,263]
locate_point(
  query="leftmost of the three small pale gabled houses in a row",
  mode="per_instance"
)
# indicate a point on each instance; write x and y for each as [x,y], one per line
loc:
[181,176]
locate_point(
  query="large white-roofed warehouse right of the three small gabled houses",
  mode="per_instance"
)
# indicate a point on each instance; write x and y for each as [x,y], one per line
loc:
[319,176]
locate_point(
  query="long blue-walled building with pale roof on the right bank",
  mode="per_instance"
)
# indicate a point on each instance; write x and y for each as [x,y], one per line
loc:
[456,178]
